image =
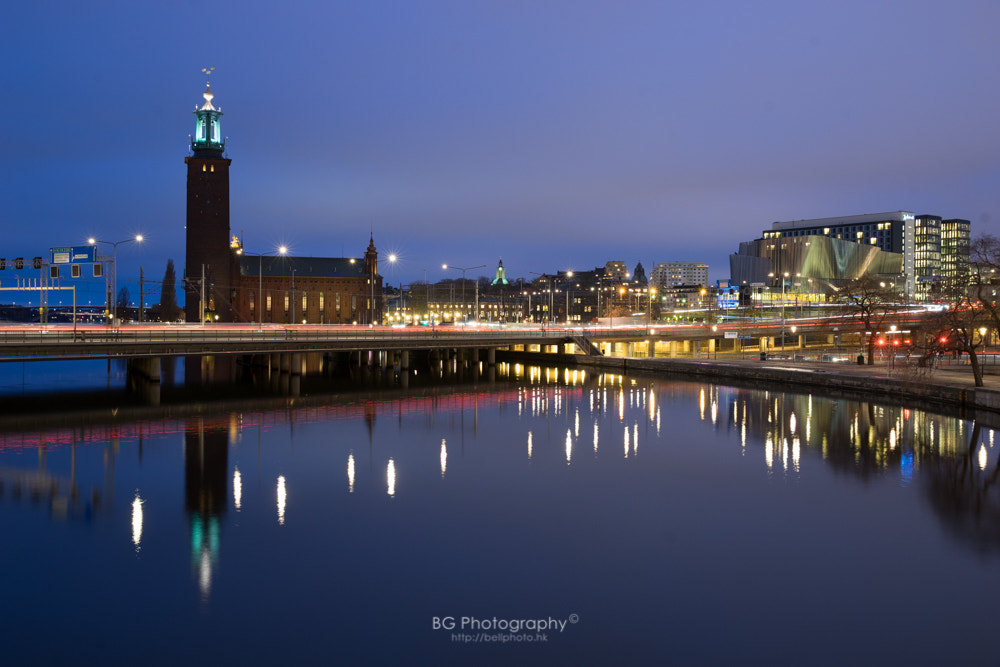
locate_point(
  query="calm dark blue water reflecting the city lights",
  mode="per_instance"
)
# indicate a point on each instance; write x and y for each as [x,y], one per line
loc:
[619,520]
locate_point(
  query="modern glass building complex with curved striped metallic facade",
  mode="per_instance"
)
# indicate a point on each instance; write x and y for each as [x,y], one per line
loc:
[828,250]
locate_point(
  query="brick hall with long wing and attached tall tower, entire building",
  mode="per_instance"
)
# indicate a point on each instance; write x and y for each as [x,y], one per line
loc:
[225,284]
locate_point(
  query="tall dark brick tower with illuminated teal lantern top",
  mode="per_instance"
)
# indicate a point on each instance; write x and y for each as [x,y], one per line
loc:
[208,252]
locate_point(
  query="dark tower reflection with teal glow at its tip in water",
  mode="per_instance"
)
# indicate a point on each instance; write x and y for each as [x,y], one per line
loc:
[205,462]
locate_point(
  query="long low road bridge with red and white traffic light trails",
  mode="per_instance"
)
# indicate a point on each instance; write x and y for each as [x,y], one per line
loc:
[74,342]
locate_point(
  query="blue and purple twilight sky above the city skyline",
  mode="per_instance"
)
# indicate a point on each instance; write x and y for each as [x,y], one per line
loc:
[554,134]
